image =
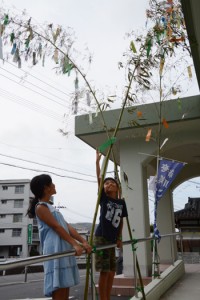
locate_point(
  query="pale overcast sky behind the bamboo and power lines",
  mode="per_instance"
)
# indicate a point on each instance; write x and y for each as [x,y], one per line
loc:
[29,122]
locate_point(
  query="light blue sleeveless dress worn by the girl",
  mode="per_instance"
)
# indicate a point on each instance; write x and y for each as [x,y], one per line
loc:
[62,272]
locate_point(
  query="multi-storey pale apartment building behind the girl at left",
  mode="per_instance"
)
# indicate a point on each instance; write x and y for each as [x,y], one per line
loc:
[18,234]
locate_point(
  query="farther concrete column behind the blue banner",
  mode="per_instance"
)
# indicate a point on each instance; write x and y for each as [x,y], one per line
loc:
[167,247]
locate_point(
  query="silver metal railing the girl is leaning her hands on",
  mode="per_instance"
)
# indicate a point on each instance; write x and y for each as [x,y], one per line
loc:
[41,258]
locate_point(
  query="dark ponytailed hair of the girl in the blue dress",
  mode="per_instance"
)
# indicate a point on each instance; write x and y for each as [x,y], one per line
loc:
[37,185]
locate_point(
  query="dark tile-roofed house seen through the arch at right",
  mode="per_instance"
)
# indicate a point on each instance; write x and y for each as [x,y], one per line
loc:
[187,220]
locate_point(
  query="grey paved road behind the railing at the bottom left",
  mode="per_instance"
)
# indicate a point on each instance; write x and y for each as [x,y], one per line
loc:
[14,287]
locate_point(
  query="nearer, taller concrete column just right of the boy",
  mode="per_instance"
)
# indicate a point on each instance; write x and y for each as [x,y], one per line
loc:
[136,196]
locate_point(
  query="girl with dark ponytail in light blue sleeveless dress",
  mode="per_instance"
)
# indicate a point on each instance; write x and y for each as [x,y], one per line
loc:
[55,236]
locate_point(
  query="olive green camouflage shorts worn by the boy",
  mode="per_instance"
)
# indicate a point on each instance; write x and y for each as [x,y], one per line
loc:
[105,260]
